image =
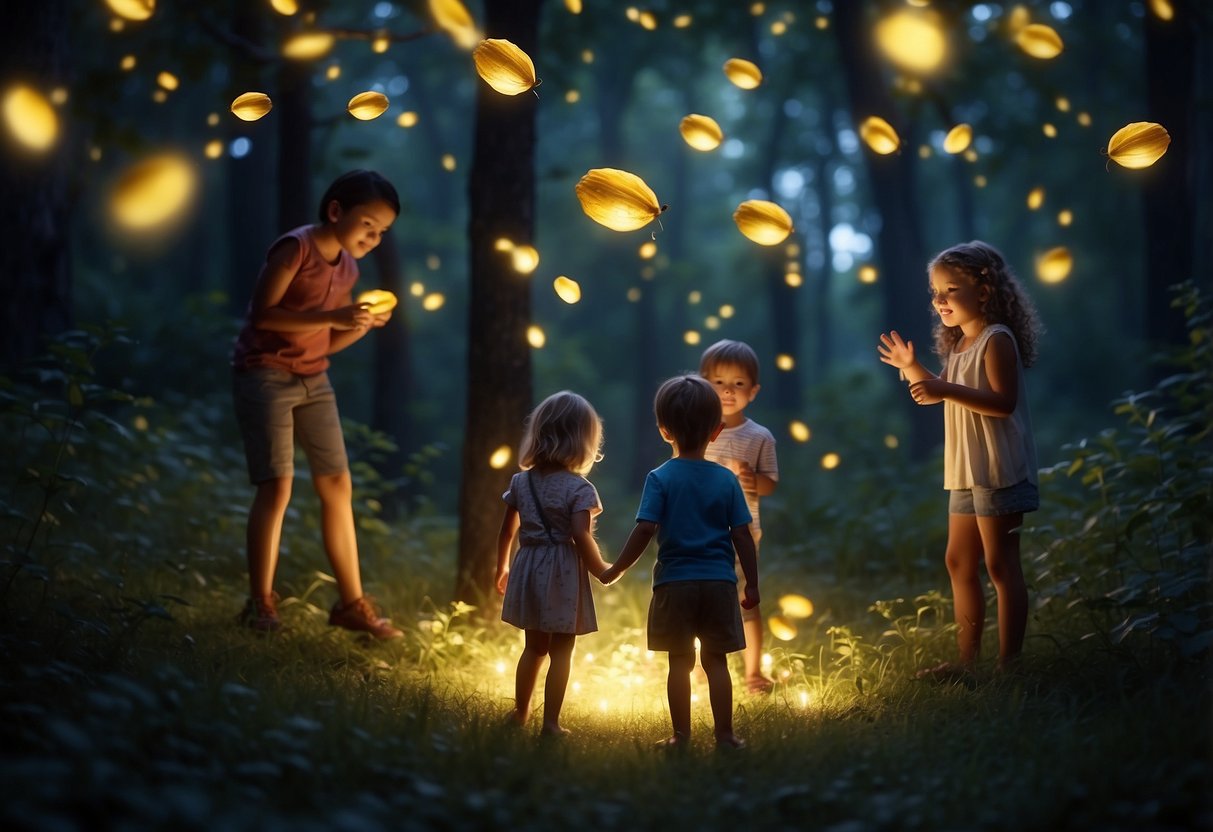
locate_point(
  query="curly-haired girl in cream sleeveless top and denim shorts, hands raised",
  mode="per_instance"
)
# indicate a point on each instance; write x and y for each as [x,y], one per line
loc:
[987,335]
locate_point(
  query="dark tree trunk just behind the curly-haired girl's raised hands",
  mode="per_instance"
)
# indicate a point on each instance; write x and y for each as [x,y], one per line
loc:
[899,243]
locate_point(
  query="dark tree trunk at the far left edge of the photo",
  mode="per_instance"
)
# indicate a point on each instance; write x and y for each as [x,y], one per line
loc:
[35,209]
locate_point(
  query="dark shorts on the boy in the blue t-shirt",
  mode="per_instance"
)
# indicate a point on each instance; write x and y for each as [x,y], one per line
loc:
[682,612]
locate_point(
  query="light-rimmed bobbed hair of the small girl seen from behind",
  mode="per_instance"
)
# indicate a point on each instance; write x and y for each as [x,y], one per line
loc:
[563,432]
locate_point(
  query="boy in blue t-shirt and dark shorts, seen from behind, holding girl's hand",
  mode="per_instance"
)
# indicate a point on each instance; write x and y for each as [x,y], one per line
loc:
[702,522]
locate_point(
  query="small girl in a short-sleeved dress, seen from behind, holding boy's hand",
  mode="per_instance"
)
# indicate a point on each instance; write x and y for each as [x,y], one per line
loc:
[551,510]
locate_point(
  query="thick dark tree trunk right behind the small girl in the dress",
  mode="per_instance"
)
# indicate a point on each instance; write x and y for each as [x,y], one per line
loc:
[502,202]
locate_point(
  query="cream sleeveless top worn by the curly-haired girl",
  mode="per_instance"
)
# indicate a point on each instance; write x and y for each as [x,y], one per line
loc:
[986,452]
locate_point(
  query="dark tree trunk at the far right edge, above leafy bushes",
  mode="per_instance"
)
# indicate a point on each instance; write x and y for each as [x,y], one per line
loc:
[1169,187]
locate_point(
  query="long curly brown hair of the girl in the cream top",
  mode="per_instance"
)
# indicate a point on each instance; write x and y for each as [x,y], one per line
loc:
[1007,304]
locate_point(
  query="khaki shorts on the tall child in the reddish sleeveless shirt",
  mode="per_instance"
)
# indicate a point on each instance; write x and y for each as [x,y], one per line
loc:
[276,409]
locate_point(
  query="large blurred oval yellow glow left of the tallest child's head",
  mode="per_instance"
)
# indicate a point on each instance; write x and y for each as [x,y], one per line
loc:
[152,193]
